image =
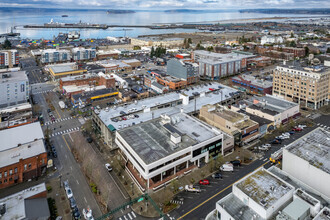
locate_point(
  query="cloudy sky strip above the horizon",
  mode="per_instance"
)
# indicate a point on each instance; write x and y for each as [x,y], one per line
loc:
[167,4]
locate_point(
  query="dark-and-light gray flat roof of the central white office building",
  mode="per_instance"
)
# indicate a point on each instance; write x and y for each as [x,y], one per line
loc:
[151,140]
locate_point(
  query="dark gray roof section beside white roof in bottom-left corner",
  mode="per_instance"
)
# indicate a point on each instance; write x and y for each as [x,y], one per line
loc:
[37,209]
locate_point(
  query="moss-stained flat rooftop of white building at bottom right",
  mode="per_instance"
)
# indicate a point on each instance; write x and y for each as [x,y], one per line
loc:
[264,188]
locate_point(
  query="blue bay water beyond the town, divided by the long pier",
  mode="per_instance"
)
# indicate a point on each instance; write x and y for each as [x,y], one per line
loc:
[19,17]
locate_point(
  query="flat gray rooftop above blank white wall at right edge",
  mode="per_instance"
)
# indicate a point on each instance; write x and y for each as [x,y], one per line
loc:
[313,147]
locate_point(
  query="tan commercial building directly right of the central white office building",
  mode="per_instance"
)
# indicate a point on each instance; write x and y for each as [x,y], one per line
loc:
[234,123]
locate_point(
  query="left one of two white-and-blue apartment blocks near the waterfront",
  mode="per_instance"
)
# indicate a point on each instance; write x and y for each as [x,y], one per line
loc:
[55,56]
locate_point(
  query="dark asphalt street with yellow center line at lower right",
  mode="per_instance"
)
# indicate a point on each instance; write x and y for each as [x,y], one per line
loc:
[198,205]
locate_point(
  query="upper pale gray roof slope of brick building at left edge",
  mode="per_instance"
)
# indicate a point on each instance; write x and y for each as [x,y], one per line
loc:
[10,138]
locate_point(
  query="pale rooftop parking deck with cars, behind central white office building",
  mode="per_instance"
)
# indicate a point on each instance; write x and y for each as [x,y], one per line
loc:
[170,101]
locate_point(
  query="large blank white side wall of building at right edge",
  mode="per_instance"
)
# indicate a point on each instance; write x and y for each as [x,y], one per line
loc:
[305,172]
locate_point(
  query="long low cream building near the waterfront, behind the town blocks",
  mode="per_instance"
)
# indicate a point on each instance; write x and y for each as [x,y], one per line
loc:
[156,42]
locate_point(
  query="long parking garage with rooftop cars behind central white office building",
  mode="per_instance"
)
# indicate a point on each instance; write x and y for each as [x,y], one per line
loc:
[107,121]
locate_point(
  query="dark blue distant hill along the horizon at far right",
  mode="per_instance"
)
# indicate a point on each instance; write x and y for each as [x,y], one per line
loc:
[288,11]
